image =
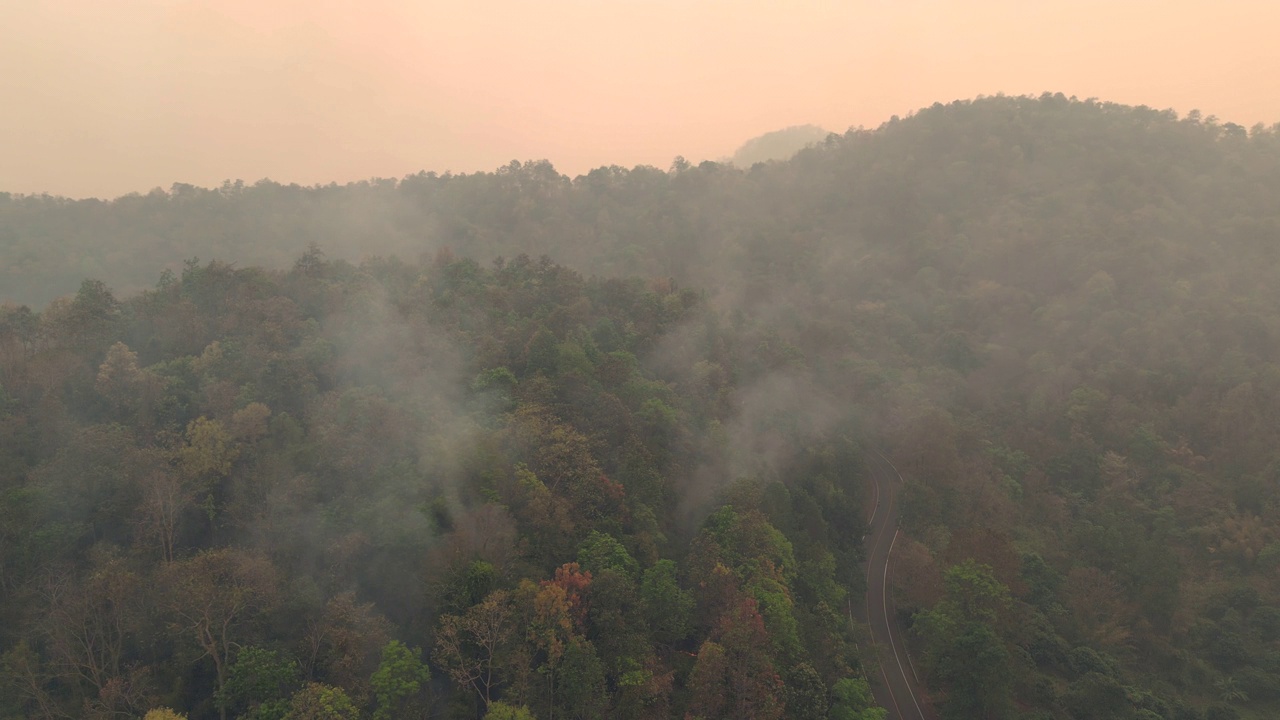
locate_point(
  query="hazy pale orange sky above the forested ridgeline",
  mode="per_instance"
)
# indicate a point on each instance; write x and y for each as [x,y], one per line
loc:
[111,97]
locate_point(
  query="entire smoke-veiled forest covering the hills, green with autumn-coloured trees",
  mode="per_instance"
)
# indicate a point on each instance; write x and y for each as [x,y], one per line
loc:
[518,444]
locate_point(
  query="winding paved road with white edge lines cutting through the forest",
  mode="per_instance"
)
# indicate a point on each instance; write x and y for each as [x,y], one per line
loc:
[898,690]
